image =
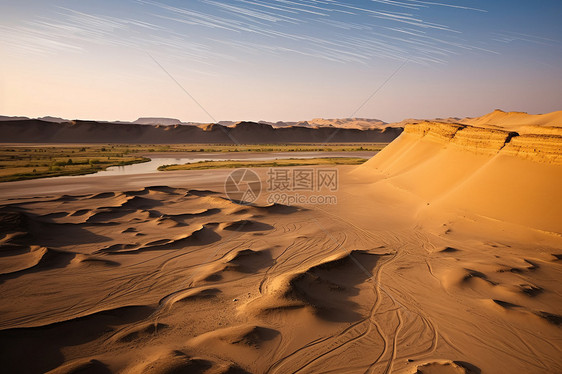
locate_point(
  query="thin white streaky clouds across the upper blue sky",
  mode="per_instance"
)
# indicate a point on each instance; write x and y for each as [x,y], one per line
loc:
[336,31]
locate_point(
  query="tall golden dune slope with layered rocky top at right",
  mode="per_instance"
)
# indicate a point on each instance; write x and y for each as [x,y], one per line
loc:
[494,172]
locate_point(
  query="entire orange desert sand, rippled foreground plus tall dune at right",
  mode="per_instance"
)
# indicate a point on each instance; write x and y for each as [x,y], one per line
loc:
[442,255]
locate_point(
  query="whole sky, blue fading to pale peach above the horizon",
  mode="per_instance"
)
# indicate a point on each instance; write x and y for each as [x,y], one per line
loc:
[279,59]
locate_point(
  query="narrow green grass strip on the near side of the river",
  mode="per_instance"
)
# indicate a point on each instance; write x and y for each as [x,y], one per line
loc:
[202,165]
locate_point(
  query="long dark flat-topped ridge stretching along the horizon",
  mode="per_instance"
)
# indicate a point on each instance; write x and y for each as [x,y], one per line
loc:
[172,131]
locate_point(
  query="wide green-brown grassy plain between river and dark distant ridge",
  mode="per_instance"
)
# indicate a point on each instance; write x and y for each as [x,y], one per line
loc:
[32,161]
